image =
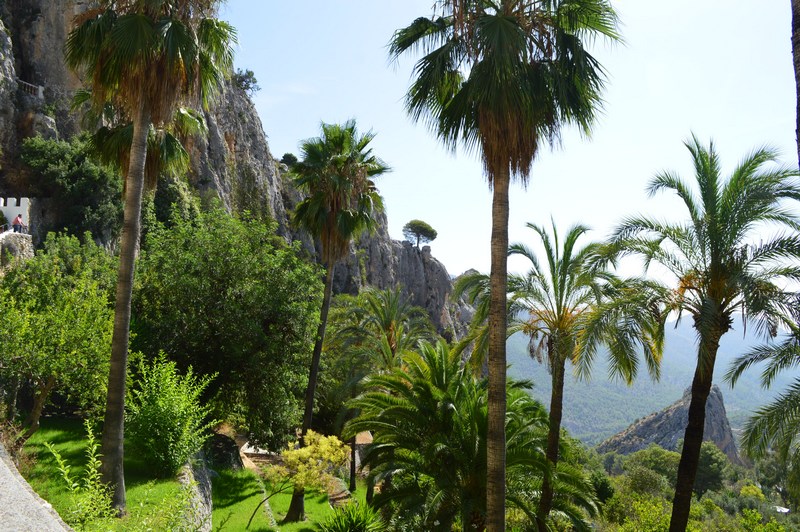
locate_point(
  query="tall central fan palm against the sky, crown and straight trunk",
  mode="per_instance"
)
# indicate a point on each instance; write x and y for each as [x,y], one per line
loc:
[503,76]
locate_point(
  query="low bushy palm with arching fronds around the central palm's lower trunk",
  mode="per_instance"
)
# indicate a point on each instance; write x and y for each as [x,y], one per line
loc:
[430,434]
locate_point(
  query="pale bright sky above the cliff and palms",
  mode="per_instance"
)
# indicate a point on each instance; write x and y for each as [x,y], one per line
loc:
[721,69]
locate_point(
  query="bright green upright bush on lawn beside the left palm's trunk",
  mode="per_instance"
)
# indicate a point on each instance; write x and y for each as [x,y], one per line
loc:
[166,421]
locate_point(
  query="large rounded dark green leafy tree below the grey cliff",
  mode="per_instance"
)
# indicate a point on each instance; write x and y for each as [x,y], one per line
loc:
[227,296]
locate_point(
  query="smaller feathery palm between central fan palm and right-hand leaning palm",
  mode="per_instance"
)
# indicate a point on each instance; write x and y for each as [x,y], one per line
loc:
[570,296]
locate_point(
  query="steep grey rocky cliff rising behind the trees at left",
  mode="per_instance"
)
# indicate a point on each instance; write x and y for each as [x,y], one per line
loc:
[233,162]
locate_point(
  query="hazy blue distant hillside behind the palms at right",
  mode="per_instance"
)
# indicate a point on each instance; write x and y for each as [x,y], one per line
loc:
[595,410]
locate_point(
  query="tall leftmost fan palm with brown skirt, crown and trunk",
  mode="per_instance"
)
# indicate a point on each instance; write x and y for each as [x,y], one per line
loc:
[144,57]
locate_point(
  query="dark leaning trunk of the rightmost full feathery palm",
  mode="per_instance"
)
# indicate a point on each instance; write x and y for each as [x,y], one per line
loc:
[693,438]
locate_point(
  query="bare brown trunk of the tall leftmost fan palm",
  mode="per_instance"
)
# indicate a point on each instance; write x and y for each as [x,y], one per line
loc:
[112,445]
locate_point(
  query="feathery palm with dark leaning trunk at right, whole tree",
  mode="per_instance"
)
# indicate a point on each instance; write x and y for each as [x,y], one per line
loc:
[719,267]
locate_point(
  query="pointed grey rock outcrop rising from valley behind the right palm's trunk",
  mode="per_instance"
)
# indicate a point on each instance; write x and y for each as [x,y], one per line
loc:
[667,427]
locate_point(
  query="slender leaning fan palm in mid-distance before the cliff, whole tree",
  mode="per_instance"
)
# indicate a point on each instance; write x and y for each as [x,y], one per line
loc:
[335,172]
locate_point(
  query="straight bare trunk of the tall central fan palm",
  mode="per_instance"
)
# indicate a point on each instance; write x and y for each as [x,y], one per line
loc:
[498,281]
